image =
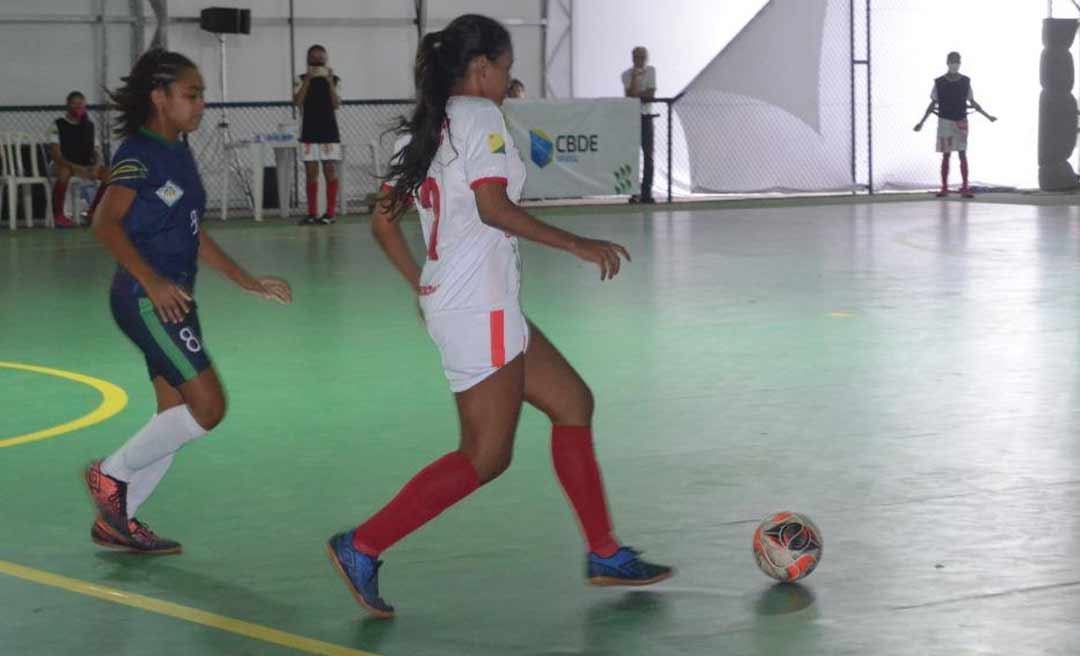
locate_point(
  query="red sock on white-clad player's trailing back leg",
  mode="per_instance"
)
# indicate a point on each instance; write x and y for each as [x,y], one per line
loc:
[433,490]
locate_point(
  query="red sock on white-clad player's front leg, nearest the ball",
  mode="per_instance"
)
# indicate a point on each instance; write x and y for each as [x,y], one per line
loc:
[572,451]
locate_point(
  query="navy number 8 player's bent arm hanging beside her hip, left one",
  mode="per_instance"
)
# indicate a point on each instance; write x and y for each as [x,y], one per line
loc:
[171,302]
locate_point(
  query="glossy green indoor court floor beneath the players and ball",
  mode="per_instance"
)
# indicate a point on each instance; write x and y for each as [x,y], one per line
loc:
[904,373]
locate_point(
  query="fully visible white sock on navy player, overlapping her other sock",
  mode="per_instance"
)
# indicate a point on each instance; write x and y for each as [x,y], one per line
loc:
[164,436]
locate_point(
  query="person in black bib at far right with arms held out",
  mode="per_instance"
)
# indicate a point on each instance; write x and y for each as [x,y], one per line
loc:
[950,100]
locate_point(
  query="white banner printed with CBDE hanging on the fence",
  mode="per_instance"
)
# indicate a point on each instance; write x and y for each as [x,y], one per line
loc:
[575,149]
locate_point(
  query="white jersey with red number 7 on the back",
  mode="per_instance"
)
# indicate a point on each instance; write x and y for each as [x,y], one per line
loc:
[470,266]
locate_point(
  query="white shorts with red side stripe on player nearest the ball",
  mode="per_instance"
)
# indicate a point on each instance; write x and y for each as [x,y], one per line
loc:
[476,345]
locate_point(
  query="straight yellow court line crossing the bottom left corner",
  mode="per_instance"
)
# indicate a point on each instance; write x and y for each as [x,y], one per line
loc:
[177,611]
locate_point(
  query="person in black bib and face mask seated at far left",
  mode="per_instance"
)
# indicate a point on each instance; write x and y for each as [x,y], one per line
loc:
[75,153]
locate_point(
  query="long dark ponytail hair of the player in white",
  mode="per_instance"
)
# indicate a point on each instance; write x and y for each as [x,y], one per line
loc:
[442,59]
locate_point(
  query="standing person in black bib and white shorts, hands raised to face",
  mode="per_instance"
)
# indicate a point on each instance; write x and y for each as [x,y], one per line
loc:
[317,96]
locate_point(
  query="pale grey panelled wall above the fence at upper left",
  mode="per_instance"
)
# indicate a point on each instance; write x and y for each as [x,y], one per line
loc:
[45,62]
